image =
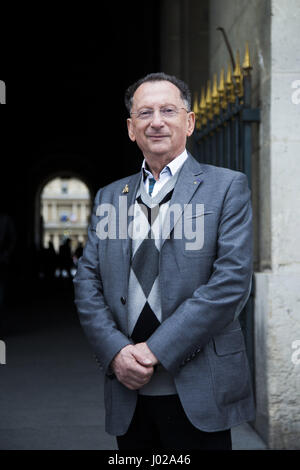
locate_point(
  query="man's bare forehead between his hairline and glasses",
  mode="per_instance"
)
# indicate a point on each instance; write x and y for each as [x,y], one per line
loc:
[156,93]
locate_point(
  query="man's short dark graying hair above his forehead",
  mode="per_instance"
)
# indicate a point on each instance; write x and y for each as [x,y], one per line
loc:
[185,93]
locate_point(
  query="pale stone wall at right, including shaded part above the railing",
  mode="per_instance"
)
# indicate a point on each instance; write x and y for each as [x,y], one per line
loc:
[272,29]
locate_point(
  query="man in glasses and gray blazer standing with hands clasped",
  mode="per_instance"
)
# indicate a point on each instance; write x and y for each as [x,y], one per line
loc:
[160,310]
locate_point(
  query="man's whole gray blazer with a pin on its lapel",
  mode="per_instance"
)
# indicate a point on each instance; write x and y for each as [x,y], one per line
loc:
[203,291]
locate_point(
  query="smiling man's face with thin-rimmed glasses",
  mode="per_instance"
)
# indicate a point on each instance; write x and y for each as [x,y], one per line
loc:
[158,134]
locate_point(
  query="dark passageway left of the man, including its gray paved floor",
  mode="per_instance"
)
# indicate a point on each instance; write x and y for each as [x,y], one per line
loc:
[65,74]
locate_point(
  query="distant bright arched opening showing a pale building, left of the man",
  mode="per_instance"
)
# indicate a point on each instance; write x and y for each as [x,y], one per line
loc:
[62,213]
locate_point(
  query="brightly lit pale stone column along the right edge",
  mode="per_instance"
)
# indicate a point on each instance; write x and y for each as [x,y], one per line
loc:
[277,306]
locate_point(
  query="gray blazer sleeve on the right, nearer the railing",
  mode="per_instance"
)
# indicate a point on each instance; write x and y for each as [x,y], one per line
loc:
[215,304]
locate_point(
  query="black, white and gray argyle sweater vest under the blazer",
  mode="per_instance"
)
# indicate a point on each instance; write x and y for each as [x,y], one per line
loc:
[144,296]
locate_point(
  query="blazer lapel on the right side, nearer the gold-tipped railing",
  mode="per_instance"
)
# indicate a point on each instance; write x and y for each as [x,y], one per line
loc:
[189,180]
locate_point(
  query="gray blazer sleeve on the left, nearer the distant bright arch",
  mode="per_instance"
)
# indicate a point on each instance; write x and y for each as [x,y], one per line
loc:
[94,314]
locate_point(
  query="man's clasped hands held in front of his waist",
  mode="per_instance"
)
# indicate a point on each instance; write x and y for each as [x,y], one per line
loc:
[134,365]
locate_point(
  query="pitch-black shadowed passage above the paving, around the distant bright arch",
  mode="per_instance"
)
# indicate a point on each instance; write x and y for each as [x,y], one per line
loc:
[66,73]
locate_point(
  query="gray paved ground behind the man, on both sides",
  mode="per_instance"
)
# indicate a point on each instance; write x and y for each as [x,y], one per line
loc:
[51,389]
